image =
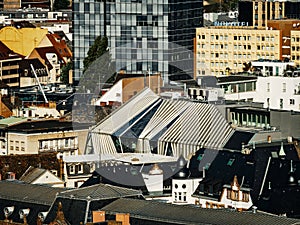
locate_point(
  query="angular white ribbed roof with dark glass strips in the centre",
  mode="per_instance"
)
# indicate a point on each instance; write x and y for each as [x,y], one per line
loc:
[148,123]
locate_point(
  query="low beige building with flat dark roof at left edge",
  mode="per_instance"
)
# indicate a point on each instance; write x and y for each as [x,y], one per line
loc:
[43,136]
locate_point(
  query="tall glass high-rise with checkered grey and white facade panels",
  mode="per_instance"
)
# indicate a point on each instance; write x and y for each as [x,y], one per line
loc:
[144,35]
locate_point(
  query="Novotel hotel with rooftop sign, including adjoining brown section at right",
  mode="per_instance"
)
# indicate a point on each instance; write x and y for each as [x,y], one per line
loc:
[225,48]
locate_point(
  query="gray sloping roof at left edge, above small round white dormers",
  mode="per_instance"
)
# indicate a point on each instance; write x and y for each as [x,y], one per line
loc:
[30,193]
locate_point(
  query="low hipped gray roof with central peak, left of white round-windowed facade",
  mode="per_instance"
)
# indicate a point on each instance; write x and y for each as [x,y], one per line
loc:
[99,192]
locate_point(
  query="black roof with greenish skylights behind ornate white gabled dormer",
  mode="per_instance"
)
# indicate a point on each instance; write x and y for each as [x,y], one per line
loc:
[221,169]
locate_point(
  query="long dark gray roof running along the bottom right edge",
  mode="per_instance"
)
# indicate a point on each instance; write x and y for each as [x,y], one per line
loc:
[175,214]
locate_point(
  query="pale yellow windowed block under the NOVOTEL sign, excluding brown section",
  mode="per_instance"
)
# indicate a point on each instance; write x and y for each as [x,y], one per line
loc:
[222,49]
